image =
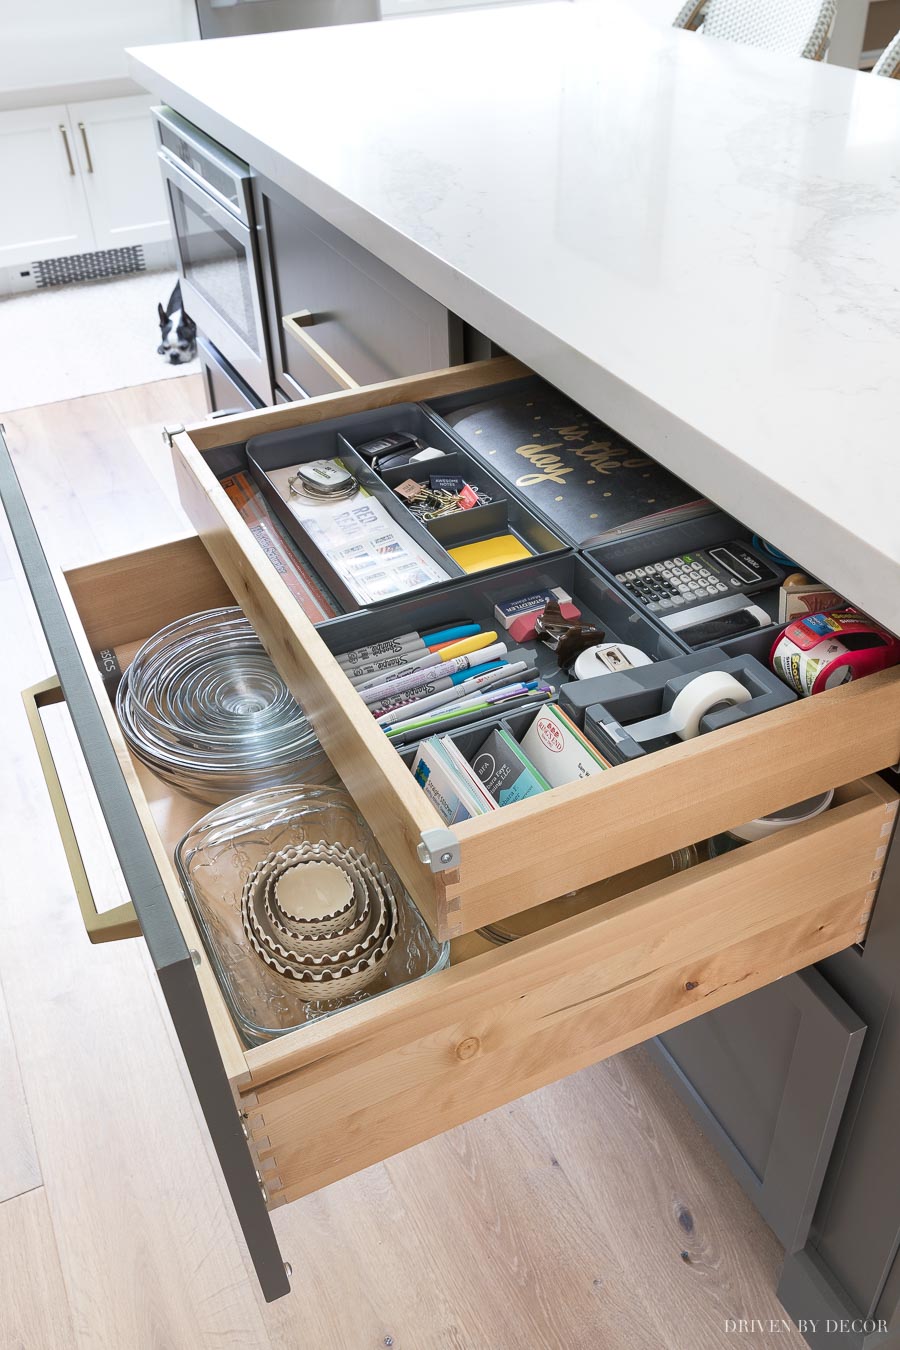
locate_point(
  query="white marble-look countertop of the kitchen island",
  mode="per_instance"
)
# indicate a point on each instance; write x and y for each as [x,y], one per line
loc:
[697,241]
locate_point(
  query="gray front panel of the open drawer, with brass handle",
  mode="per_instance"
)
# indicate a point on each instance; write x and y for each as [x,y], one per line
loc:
[161,931]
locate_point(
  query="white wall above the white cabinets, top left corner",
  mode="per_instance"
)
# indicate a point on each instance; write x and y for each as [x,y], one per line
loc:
[64,43]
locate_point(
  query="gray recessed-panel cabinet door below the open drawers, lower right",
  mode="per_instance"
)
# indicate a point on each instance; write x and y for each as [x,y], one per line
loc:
[767,1079]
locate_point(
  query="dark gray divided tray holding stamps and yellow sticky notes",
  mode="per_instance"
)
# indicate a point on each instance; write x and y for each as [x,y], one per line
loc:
[338,439]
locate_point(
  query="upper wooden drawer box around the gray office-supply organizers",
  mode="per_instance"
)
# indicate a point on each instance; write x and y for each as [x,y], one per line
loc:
[536,850]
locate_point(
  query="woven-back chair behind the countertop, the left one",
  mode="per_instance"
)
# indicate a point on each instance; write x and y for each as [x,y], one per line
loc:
[794,26]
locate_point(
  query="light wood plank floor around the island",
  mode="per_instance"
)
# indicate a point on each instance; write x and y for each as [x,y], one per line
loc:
[588,1217]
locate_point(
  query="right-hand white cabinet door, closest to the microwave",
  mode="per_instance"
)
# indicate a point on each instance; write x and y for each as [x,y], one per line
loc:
[117,152]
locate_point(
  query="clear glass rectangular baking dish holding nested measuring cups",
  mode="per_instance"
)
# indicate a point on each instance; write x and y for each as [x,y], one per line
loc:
[215,859]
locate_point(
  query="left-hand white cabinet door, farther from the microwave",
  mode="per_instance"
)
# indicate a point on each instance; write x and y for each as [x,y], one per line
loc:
[45,213]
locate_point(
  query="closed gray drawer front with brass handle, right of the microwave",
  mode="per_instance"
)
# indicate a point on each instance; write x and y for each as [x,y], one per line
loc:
[369,319]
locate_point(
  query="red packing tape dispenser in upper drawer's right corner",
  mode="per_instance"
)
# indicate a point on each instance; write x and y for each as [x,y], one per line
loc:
[824,651]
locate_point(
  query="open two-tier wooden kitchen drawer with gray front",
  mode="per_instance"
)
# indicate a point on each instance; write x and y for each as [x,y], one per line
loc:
[326,1101]
